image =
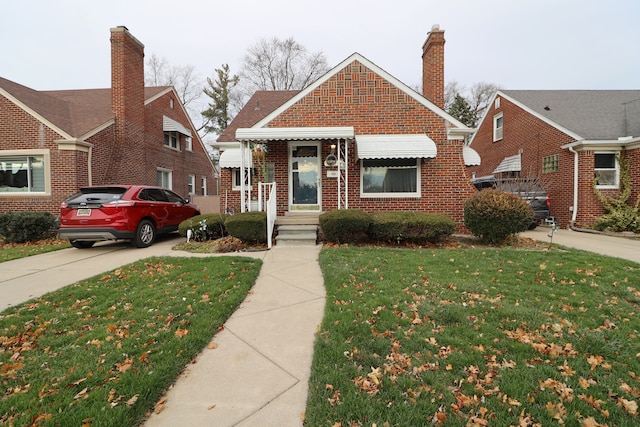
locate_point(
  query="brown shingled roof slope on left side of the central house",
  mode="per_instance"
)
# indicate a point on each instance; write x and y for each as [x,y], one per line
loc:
[262,103]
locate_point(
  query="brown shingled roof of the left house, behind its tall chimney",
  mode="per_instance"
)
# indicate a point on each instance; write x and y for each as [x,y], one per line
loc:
[73,113]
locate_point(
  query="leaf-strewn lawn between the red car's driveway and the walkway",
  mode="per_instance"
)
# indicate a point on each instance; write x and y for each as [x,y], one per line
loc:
[101,352]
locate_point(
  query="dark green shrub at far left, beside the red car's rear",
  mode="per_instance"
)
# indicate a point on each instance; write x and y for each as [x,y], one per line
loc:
[21,227]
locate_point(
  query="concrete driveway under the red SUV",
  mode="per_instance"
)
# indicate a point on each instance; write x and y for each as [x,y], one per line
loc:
[30,277]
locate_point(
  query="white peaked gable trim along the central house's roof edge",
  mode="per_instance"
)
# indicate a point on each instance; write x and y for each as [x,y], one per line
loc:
[364,61]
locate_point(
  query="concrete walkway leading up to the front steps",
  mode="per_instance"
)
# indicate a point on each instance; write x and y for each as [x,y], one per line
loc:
[258,373]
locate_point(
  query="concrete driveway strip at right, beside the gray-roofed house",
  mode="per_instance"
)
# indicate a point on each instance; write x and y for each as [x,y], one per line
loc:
[618,247]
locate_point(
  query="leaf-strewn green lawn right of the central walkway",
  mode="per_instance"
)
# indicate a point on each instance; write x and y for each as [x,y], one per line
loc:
[474,337]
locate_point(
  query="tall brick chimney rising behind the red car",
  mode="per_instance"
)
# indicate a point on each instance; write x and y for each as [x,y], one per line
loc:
[127,101]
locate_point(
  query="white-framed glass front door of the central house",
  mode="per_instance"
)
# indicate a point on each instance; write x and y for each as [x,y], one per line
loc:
[304,176]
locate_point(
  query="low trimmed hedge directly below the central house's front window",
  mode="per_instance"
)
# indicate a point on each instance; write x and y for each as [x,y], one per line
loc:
[416,227]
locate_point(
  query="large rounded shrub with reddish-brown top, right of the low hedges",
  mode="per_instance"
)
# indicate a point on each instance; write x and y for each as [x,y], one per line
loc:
[494,215]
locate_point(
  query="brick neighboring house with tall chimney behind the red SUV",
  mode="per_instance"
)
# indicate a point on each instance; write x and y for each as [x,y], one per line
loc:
[53,142]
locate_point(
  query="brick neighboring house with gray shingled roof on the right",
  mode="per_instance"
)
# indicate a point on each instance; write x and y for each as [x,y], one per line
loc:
[565,138]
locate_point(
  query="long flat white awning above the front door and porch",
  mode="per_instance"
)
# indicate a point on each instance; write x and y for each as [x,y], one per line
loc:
[294,134]
